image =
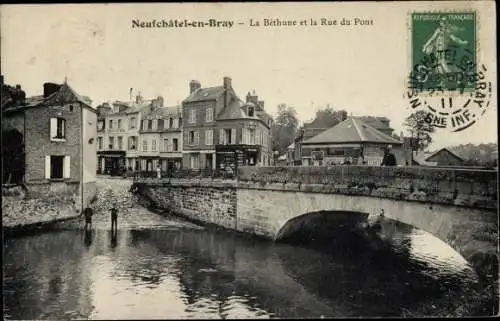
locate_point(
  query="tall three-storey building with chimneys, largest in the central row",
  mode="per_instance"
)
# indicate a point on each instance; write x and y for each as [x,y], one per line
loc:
[220,130]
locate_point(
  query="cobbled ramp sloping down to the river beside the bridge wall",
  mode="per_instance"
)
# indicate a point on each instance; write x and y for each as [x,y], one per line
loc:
[131,215]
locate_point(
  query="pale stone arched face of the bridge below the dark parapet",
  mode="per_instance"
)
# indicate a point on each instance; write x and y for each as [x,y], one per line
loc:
[473,233]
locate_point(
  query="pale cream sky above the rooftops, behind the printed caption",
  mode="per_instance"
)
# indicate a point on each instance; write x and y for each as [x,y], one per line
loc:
[362,69]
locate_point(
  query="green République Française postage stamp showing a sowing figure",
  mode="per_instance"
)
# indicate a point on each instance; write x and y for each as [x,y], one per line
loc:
[443,51]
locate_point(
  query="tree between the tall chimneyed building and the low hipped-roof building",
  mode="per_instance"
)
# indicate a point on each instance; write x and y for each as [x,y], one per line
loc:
[284,128]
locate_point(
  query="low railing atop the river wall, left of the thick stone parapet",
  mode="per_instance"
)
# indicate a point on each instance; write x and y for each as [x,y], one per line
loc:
[183,173]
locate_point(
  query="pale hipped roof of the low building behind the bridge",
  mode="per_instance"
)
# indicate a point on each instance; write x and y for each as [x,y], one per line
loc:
[352,130]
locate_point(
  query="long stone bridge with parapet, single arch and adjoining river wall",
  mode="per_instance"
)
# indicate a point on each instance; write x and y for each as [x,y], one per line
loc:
[457,206]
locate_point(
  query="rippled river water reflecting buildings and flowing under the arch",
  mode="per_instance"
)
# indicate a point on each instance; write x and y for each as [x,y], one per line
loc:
[162,267]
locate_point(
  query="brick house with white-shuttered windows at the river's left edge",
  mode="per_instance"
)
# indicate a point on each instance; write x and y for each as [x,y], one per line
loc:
[58,131]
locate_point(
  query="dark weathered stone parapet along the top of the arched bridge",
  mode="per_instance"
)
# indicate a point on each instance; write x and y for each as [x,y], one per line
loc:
[459,187]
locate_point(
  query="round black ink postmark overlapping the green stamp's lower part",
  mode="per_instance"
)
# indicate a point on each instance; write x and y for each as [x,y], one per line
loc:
[453,92]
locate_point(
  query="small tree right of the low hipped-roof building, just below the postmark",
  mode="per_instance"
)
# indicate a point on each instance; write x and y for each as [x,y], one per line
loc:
[420,130]
